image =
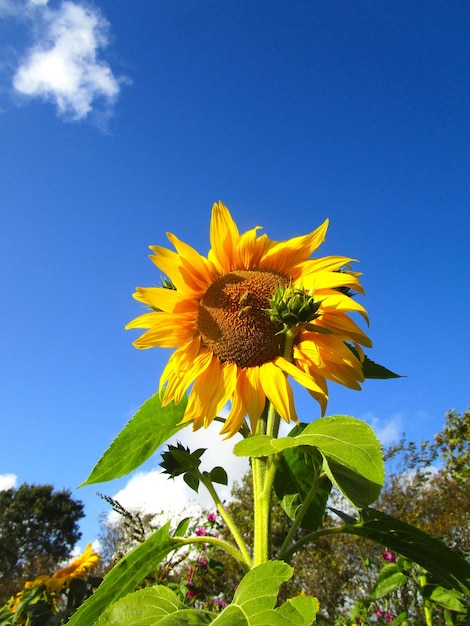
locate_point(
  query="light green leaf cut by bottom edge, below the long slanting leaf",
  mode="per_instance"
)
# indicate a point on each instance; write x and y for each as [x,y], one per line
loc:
[149,606]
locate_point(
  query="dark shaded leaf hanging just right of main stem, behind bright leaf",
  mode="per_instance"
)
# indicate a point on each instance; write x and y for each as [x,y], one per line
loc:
[298,473]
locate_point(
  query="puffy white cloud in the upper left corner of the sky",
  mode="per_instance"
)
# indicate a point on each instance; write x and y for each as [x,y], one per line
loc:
[63,65]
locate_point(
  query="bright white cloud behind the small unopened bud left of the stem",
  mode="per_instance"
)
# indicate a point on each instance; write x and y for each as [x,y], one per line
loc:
[154,492]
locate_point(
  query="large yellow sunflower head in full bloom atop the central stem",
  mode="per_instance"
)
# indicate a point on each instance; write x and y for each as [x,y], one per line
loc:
[215,311]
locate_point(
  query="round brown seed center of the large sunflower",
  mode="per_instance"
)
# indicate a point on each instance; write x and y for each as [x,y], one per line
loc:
[231,319]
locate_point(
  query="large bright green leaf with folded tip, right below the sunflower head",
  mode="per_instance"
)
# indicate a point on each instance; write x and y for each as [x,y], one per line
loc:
[352,453]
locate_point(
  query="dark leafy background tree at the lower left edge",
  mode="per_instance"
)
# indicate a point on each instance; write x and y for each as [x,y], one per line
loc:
[38,529]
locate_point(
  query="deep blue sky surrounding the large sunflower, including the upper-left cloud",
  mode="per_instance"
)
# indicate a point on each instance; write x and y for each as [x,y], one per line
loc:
[121,121]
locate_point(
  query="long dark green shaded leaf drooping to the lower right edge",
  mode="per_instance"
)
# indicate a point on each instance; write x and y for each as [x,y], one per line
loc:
[446,565]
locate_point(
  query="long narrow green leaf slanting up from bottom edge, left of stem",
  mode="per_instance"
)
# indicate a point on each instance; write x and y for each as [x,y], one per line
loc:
[125,576]
